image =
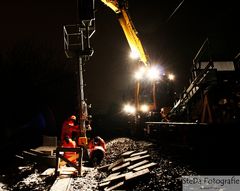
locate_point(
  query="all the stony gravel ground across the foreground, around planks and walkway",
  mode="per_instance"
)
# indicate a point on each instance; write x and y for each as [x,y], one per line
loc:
[165,176]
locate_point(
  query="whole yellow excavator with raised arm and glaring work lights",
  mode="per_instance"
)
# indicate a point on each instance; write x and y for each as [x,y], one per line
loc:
[148,96]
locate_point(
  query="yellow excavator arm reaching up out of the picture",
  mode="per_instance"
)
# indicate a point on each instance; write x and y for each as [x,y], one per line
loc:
[128,29]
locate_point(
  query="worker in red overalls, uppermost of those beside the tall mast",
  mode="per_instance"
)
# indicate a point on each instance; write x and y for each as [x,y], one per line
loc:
[68,128]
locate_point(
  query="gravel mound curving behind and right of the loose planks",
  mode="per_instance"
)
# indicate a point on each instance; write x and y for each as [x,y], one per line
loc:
[165,176]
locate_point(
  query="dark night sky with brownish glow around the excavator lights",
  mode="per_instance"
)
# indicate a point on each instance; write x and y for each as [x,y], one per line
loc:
[172,44]
